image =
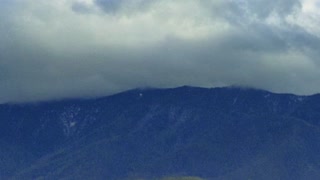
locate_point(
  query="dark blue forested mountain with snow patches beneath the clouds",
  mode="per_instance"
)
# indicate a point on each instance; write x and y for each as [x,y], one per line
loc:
[219,133]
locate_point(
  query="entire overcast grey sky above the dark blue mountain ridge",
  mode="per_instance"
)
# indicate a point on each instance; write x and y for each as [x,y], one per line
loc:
[87,48]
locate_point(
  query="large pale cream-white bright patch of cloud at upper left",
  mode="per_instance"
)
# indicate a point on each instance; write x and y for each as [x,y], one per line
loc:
[54,24]
